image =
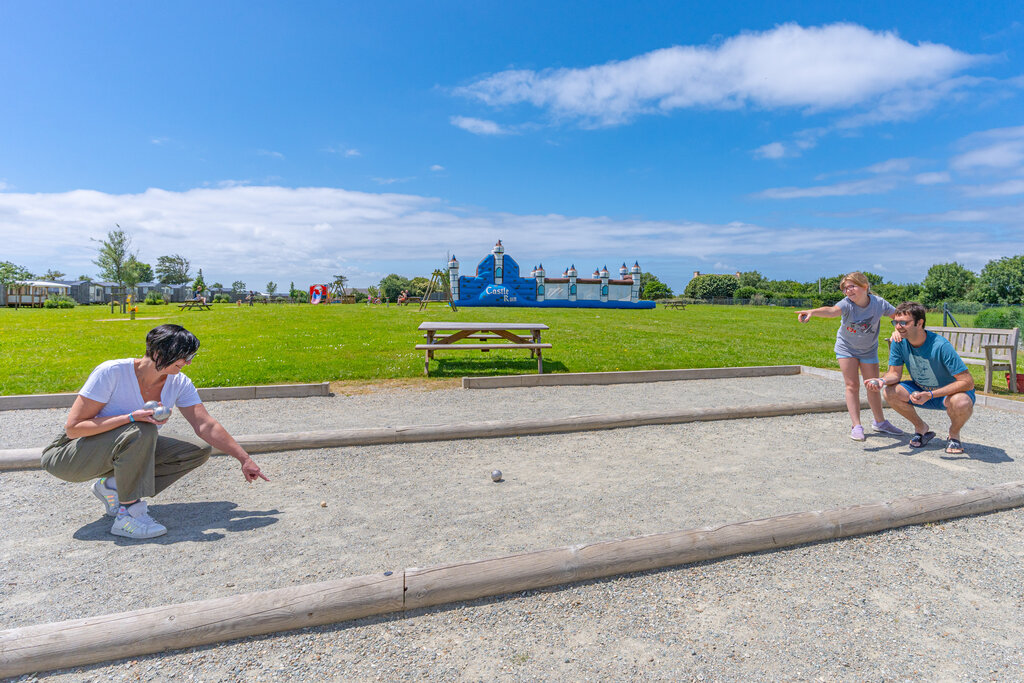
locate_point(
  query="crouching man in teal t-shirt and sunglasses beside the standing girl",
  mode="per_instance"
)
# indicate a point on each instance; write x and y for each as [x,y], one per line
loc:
[940,380]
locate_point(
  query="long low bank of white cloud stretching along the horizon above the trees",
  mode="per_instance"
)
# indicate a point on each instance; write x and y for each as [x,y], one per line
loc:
[257,234]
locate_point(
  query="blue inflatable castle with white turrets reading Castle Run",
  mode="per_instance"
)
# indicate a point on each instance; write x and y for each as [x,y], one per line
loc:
[499,283]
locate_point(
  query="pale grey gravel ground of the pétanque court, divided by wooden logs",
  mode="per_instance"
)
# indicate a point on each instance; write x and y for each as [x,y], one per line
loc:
[938,602]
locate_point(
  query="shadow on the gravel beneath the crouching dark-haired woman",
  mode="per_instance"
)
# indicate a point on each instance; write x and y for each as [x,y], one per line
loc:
[187,522]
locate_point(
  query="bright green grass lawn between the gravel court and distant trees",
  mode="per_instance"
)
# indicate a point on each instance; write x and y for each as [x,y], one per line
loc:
[54,351]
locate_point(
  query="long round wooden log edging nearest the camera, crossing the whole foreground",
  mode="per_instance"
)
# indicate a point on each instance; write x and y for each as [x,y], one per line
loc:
[96,639]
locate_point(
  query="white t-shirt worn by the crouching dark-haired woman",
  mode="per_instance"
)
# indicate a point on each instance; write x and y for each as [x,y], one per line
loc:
[115,385]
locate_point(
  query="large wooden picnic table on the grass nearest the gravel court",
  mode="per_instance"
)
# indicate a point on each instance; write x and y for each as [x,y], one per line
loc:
[483,337]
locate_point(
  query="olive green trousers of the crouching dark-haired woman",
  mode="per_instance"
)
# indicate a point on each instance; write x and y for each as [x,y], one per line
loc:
[143,462]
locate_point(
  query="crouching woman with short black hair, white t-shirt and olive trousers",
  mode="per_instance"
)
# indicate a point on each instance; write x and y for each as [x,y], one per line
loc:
[111,438]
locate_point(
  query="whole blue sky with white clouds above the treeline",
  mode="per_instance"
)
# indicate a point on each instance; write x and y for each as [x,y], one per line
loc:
[292,142]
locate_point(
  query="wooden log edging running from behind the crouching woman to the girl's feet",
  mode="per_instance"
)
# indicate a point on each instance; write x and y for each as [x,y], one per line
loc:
[29,458]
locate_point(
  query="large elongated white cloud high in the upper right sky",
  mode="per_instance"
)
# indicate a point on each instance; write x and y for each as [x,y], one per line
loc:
[835,67]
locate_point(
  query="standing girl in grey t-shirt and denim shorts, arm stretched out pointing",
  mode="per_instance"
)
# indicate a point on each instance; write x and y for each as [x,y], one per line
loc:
[858,347]
